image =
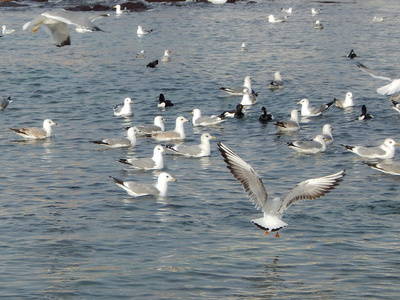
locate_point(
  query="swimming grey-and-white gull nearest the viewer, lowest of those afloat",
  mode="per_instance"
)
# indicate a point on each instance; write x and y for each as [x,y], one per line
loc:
[136,189]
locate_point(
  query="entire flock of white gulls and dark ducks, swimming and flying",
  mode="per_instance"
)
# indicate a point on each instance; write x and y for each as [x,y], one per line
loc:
[57,22]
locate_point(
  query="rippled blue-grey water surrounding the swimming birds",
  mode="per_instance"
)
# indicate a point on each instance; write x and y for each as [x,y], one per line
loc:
[67,231]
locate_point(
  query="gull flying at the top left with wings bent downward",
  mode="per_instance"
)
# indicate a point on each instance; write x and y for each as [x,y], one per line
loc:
[57,22]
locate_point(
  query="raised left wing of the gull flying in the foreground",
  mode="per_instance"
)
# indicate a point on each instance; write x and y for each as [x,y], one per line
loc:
[245,174]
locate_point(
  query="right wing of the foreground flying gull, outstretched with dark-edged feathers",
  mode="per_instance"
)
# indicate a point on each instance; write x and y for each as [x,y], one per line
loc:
[311,189]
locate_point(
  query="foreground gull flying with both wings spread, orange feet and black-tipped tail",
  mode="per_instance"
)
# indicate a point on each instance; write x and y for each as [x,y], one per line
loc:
[273,209]
